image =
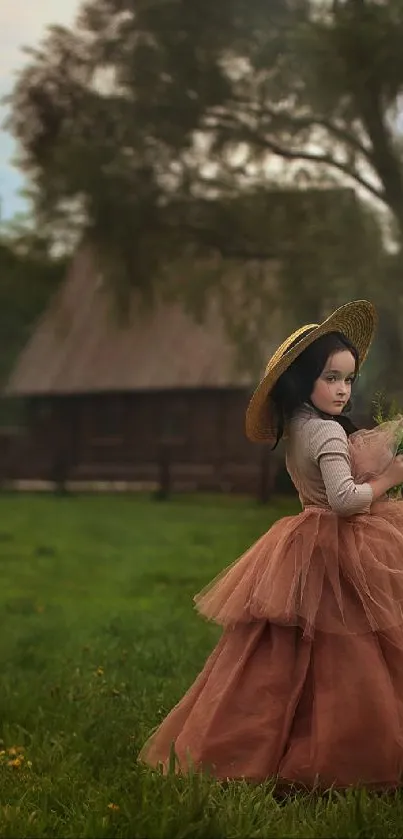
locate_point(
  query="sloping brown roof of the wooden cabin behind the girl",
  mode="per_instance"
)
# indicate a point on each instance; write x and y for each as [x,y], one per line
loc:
[78,347]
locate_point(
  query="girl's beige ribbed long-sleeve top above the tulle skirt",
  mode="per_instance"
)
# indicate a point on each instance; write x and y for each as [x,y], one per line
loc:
[318,462]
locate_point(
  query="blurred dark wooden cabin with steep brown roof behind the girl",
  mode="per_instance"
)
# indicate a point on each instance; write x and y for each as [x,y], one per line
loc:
[156,402]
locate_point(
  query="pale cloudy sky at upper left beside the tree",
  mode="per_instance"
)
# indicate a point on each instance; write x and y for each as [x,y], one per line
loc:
[22,23]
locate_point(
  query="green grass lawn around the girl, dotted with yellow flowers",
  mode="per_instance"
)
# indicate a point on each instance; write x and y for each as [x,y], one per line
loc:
[98,640]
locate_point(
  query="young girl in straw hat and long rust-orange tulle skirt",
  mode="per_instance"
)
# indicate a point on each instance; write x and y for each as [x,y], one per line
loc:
[306,682]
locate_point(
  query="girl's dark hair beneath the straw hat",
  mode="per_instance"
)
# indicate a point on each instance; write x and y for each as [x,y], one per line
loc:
[296,384]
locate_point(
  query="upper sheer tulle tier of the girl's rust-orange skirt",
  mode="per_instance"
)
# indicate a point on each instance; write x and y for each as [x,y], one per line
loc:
[319,572]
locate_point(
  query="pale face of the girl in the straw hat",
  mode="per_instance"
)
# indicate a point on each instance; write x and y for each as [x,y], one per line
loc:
[332,390]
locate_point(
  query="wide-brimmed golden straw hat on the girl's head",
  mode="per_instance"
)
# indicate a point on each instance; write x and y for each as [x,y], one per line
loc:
[356,320]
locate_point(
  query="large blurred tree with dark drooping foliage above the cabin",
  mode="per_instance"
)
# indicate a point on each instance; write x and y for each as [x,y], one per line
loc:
[142,123]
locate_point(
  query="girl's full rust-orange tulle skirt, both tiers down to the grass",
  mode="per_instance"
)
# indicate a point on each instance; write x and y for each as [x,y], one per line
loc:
[306,682]
